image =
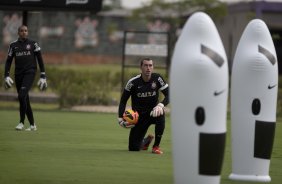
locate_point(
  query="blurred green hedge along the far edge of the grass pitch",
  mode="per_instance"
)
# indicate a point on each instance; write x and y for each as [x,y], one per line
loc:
[86,87]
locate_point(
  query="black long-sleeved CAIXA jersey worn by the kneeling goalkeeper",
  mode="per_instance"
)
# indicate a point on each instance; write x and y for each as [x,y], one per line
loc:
[144,95]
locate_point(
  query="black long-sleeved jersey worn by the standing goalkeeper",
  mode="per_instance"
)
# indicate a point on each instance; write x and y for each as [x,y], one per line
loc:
[26,53]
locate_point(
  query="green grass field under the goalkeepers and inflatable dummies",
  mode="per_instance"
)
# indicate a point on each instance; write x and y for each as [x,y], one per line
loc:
[81,148]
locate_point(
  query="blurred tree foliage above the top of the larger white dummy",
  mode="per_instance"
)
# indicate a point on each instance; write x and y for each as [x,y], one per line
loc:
[177,12]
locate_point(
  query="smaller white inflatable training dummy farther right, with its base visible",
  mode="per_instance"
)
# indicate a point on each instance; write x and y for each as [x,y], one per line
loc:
[254,85]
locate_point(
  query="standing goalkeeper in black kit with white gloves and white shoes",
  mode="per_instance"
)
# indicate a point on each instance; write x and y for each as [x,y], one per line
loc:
[27,54]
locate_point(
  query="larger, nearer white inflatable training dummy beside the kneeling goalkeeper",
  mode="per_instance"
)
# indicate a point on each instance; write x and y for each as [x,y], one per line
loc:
[198,94]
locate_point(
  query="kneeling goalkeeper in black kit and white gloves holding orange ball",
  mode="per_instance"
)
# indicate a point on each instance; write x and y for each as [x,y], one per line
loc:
[144,92]
